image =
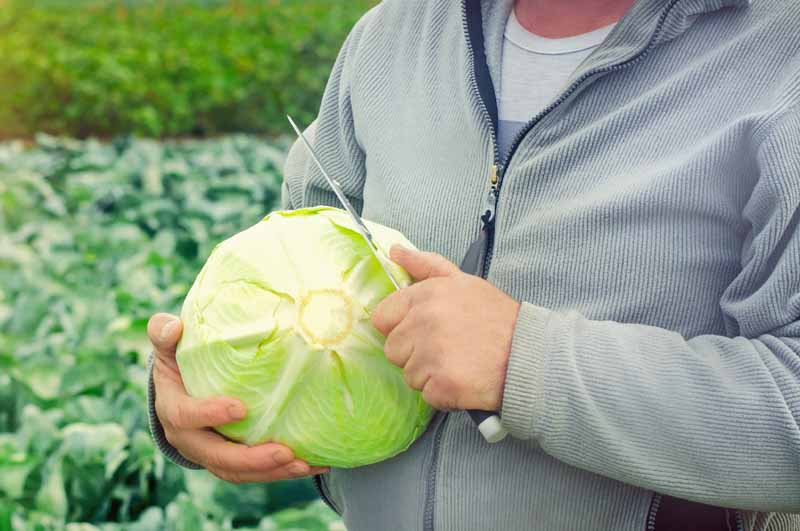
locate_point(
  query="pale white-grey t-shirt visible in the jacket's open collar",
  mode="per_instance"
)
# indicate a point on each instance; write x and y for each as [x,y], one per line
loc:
[534,72]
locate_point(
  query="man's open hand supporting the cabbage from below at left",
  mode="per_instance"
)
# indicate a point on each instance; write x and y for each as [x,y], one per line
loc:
[187,420]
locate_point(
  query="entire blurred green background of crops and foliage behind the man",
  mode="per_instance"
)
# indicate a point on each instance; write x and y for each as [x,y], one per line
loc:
[134,136]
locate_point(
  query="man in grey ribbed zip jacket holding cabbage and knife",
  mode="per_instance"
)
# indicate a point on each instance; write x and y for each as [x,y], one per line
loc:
[634,190]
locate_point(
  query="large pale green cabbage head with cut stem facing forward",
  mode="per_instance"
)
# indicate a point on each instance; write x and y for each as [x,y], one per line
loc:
[279,317]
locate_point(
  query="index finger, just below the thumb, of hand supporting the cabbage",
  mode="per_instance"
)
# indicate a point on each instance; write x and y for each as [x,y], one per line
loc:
[185,412]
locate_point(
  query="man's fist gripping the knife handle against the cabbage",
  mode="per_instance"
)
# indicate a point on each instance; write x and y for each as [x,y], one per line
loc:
[450,333]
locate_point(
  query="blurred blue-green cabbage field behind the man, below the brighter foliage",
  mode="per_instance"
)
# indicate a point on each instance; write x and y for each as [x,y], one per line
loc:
[95,237]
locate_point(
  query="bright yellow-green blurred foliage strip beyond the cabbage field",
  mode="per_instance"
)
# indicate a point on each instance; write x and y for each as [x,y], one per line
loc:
[166,68]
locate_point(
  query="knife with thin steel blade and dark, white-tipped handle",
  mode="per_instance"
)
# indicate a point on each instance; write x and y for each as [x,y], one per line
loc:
[488,422]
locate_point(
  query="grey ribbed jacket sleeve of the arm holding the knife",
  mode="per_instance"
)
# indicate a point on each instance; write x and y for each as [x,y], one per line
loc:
[712,419]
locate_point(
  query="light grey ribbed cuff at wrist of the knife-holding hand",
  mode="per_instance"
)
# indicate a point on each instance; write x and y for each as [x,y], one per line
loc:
[523,394]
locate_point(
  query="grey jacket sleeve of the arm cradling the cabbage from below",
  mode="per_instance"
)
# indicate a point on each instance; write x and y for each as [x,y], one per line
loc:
[334,139]
